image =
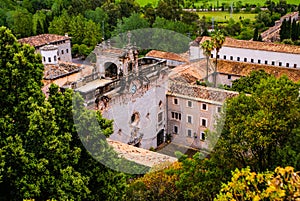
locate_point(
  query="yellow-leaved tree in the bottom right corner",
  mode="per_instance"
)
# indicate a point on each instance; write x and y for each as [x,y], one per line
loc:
[282,184]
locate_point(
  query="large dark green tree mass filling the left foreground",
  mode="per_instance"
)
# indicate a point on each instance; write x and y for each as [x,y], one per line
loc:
[42,155]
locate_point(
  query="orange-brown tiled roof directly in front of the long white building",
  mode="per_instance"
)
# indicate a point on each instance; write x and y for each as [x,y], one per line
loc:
[244,69]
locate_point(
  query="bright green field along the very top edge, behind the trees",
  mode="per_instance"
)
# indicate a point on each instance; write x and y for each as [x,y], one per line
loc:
[214,2]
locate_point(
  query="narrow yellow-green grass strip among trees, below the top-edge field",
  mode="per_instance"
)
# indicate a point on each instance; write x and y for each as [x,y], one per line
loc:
[224,16]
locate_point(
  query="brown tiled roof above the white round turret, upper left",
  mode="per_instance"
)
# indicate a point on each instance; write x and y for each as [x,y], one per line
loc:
[43,39]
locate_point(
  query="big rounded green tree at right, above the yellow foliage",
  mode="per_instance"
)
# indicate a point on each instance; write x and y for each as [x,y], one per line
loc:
[259,126]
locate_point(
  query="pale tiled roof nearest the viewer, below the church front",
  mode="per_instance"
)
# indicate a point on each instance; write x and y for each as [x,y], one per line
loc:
[139,155]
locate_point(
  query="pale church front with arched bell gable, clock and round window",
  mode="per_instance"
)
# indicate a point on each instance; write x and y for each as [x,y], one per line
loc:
[137,93]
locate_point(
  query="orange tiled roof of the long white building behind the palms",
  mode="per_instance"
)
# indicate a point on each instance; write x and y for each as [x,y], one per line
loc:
[266,46]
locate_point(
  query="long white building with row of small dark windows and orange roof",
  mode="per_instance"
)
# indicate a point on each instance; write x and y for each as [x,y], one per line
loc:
[256,52]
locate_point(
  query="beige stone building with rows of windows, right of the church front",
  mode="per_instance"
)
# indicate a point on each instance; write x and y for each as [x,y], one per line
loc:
[192,110]
